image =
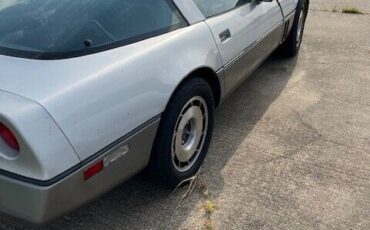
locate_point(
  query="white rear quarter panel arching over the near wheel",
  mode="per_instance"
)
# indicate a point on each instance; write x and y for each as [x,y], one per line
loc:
[97,99]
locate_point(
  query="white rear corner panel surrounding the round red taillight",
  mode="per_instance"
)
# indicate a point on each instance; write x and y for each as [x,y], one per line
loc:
[44,150]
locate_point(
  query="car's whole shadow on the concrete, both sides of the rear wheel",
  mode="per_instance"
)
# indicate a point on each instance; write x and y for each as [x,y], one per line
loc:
[141,203]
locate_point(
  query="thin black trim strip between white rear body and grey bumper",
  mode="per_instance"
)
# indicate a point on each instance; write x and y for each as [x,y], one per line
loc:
[56,179]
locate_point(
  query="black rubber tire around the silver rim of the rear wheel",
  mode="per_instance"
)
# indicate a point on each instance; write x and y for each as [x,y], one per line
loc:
[162,162]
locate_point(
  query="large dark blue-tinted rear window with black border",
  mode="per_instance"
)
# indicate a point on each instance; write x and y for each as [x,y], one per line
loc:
[58,28]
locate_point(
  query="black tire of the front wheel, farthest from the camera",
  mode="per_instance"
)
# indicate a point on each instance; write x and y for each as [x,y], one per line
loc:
[291,45]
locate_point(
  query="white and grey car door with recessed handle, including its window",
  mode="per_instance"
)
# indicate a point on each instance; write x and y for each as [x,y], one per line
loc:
[246,31]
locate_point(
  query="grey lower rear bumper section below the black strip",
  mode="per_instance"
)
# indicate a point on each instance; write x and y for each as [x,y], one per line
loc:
[43,203]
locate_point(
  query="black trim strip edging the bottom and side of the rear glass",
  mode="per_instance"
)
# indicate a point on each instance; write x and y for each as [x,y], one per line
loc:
[88,51]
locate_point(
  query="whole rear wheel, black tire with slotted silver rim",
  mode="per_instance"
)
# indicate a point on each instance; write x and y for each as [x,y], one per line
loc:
[185,132]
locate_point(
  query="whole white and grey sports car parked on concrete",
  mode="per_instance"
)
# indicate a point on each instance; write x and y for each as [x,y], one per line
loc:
[92,92]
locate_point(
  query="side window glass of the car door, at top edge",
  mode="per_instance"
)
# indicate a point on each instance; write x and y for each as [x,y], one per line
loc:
[213,7]
